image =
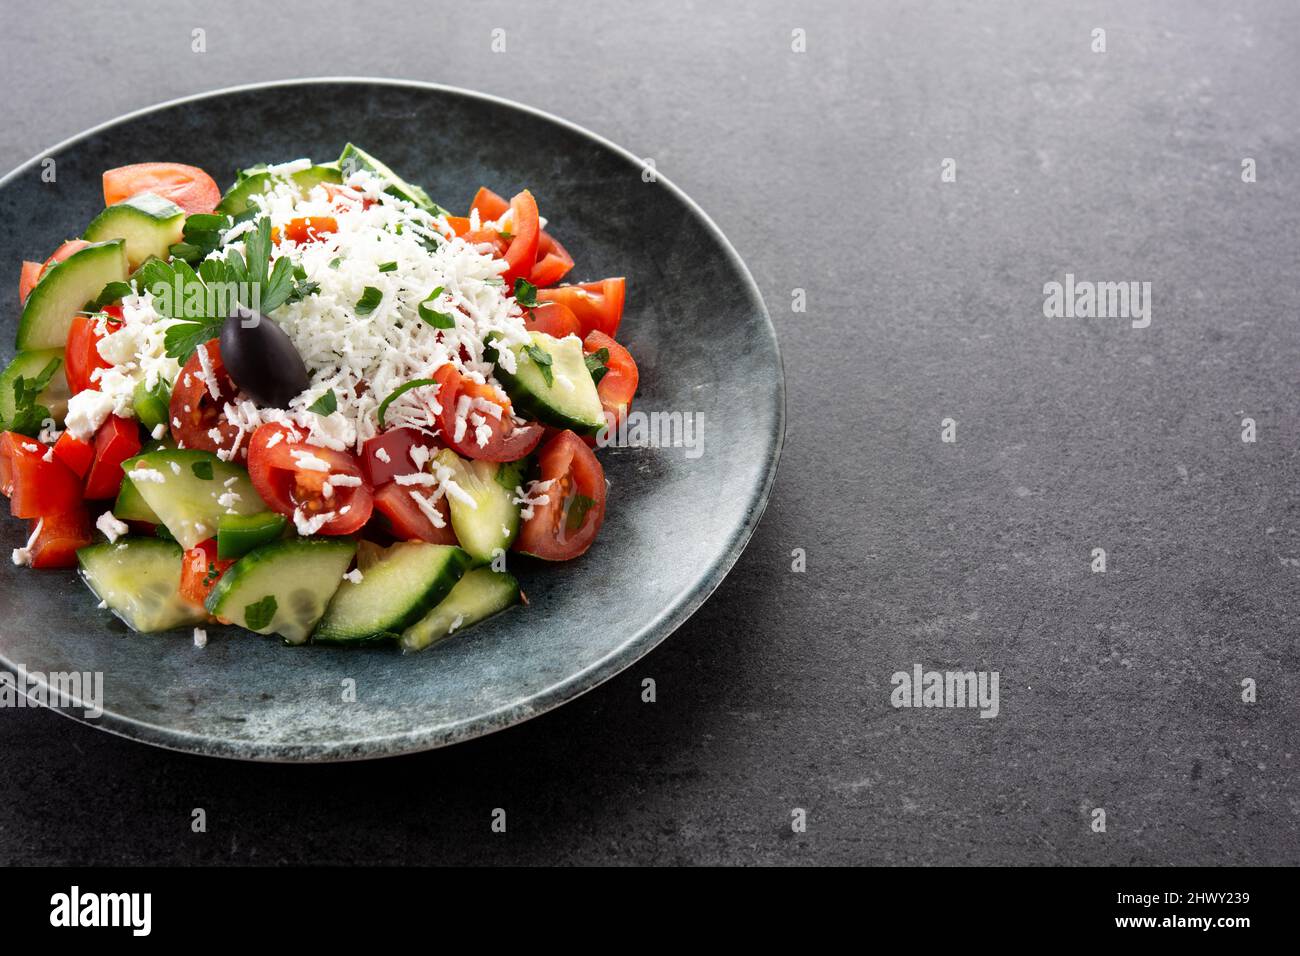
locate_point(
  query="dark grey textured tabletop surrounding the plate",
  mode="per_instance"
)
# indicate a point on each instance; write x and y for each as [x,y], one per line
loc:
[925,302]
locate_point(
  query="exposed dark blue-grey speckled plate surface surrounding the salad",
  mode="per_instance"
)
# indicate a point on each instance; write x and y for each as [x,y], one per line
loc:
[695,322]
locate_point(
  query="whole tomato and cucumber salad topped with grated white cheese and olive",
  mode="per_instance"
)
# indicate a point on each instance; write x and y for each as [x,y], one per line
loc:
[318,405]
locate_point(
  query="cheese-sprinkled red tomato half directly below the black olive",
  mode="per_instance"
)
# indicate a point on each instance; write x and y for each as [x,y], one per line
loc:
[287,474]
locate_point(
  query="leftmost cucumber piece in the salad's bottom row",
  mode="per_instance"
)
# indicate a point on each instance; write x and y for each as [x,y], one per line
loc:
[140,579]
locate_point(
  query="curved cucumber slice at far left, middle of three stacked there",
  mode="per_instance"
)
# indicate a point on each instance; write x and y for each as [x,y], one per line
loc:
[64,292]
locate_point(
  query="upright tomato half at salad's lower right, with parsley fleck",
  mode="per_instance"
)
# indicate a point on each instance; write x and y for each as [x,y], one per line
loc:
[567,525]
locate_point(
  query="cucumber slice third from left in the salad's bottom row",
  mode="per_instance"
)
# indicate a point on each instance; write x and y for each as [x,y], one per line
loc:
[396,592]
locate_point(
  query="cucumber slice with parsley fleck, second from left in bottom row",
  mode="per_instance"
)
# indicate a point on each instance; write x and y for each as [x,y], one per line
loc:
[283,587]
